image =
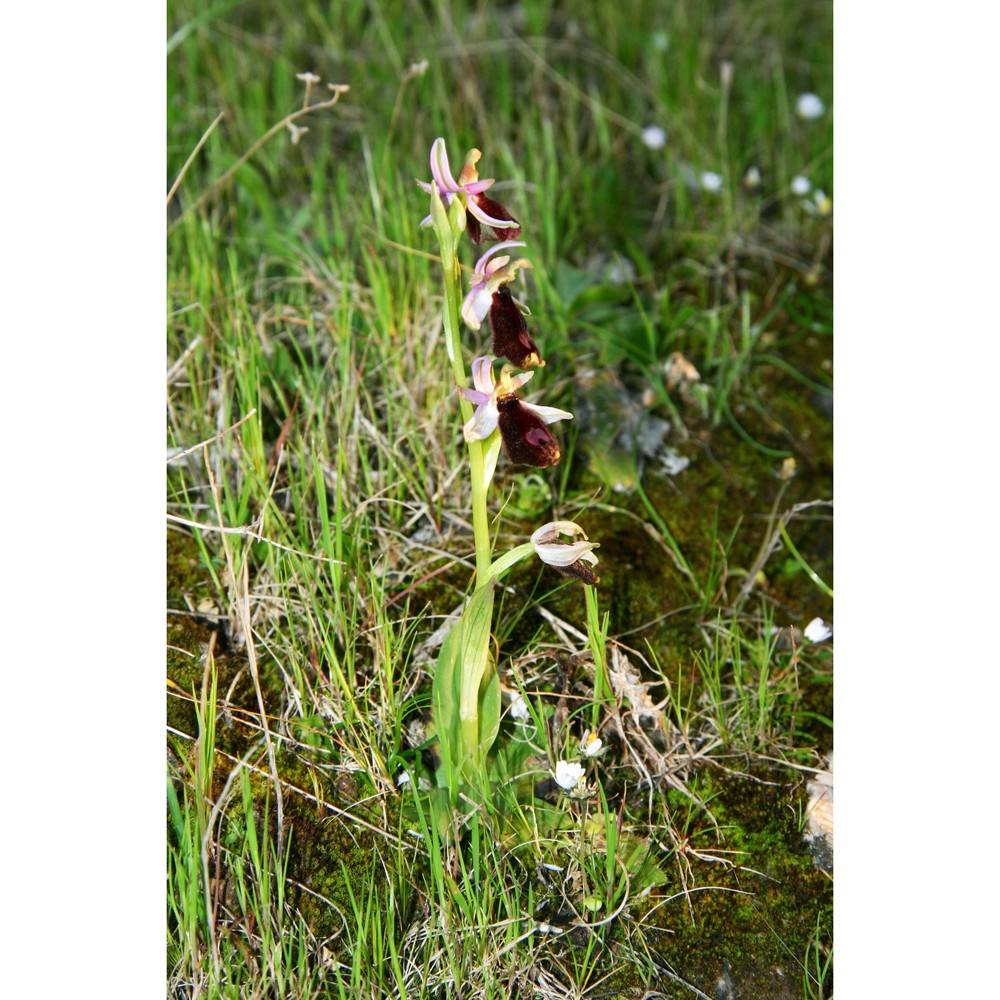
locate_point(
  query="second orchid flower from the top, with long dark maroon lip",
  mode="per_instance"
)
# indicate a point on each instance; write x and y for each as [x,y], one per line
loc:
[489,296]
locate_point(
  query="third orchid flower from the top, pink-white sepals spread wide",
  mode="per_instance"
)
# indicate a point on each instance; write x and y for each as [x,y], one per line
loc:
[526,440]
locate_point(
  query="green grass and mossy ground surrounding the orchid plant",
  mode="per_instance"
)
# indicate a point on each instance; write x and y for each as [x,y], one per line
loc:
[318,531]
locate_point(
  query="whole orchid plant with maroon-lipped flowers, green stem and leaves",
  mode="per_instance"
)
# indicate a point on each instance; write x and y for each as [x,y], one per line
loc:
[466,689]
